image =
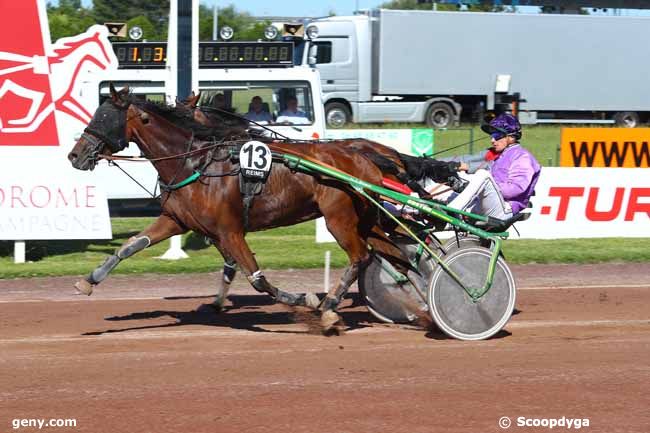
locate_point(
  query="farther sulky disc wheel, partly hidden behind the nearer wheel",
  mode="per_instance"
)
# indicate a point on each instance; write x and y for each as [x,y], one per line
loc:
[391,297]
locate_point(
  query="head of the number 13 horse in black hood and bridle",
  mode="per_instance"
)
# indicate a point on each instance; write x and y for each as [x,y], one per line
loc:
[107,132]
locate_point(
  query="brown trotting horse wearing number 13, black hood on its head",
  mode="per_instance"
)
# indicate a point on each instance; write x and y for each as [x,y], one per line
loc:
[213,204]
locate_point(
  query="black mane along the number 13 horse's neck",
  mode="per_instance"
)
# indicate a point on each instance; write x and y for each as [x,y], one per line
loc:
[182,117]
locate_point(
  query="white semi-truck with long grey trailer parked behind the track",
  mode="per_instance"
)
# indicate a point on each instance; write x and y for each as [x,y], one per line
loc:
[426,66]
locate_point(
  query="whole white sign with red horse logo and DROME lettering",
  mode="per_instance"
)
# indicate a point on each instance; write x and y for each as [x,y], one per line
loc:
[44,107]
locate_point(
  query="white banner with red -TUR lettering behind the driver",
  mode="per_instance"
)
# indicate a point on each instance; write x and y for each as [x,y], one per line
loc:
[581,203]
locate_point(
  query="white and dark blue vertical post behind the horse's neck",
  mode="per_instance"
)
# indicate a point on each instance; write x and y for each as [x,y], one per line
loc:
[183,66]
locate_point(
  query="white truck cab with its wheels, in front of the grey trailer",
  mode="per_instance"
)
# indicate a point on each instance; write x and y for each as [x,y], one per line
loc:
[346,50]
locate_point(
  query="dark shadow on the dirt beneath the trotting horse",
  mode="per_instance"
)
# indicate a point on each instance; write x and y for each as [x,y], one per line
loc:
[246,313]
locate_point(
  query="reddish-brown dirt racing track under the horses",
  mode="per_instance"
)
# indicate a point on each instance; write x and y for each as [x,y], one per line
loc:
[136,357]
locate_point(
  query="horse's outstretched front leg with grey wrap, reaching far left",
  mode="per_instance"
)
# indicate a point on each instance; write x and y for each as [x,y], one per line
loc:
[163,228]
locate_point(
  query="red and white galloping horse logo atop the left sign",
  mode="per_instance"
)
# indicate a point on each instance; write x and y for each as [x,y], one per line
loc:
[37,80]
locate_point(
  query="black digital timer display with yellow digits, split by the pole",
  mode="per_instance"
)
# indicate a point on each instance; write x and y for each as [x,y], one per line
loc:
[153,55]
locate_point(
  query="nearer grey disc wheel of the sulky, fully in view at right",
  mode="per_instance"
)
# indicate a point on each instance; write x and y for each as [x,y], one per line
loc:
[453,309]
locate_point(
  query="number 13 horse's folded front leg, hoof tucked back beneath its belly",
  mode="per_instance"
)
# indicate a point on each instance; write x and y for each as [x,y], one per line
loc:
[236,245]
